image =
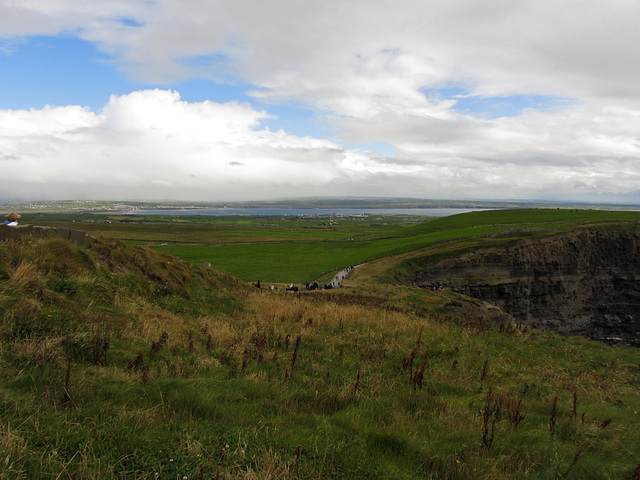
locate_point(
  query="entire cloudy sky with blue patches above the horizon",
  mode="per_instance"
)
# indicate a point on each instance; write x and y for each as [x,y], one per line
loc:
[232,100]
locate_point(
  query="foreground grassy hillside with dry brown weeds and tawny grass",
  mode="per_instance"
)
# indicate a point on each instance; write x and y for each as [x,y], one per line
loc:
[121,362]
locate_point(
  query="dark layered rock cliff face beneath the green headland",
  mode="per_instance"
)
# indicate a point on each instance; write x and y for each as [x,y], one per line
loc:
[581,283]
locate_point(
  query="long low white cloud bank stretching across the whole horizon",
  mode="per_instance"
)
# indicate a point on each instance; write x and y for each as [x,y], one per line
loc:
[152,145]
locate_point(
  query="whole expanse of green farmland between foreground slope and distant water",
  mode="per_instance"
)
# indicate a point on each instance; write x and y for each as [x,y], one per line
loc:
[283,249]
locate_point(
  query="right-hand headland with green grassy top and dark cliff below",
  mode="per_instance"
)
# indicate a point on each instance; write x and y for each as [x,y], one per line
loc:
[564,271]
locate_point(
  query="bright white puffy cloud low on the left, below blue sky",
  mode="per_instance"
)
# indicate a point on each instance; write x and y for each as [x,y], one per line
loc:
[151,144]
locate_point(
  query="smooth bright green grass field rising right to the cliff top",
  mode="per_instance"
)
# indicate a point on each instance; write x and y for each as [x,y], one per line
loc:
[298,261]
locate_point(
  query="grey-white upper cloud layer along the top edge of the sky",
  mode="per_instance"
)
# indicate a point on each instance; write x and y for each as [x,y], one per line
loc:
[320,51]
